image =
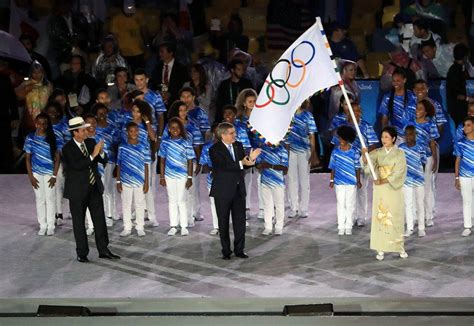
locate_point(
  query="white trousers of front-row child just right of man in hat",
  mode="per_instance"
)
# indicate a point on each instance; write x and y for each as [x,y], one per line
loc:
[136,196]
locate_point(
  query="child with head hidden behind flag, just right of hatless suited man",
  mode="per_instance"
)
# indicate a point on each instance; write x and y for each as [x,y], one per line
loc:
[273,165]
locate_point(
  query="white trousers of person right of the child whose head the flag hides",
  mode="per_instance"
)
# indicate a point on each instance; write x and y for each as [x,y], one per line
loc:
[298,179]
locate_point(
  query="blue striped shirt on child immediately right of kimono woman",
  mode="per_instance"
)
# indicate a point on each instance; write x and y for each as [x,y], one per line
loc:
[416,158]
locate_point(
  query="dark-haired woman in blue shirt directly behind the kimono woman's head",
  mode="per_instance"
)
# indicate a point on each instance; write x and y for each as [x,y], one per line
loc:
[399,105]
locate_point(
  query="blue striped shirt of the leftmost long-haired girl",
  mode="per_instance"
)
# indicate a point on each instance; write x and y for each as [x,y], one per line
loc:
[40,150]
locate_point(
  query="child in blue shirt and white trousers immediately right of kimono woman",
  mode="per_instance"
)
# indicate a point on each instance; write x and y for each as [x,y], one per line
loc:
[414,186]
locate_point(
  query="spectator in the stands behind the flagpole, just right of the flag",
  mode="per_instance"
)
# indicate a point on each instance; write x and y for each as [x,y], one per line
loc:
[348,71]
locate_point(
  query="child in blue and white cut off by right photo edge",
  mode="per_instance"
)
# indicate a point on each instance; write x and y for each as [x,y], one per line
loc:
[464,172]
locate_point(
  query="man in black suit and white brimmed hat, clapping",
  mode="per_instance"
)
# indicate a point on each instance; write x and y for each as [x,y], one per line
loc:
[84,189]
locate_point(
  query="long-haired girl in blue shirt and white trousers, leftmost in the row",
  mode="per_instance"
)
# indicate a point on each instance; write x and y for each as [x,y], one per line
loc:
[42,163]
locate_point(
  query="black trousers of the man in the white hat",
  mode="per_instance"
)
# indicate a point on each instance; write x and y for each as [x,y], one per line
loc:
[78,208]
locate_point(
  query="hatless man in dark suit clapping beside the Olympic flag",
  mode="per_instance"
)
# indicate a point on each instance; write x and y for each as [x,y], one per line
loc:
[228,187]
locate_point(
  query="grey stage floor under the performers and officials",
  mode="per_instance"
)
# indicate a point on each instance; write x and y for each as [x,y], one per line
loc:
[309,261]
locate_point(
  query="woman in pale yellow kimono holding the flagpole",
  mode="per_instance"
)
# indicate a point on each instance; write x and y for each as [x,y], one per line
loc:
[388,204]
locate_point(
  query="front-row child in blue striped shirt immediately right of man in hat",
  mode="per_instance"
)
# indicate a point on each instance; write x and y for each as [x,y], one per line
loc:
[132,179]
